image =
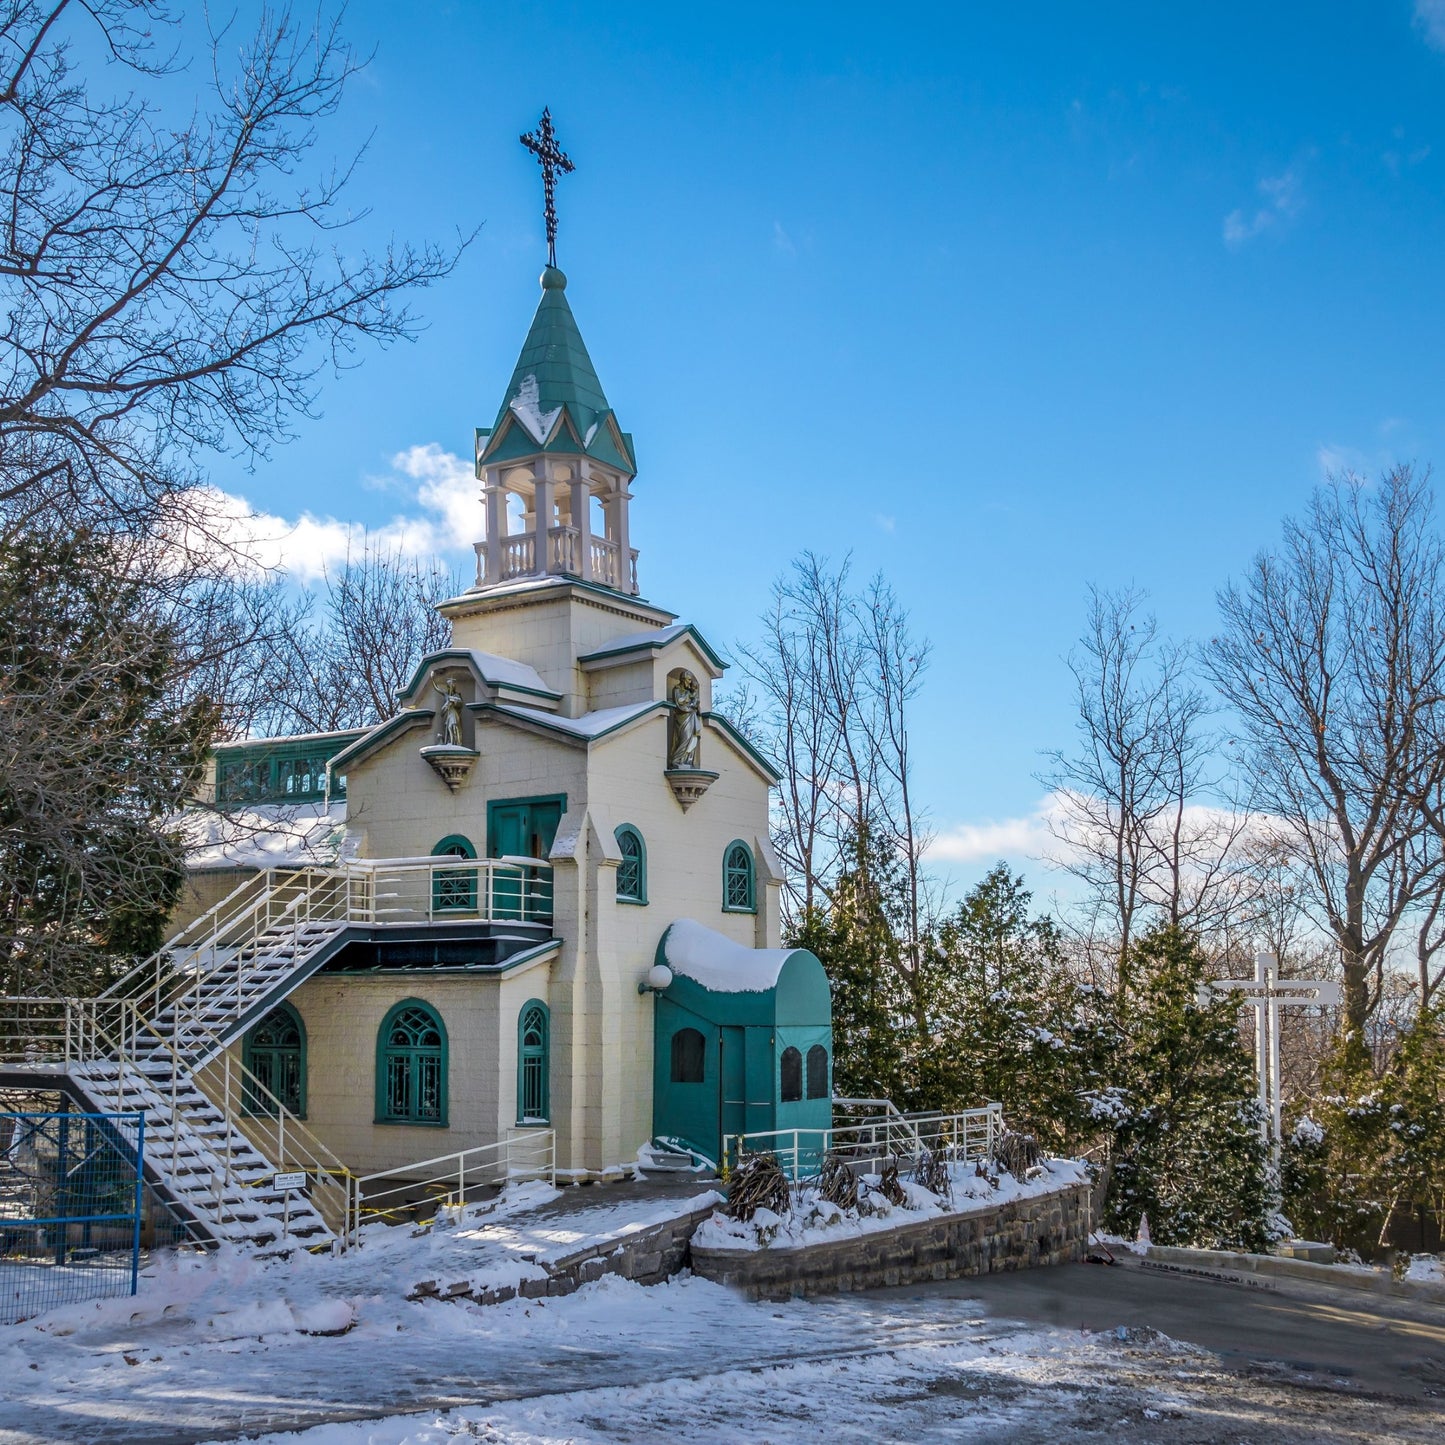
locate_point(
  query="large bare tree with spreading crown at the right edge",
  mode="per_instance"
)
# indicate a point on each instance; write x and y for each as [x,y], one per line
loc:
[1333,657]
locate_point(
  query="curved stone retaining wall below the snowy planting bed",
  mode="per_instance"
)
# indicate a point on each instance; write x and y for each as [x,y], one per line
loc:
[1048,1229]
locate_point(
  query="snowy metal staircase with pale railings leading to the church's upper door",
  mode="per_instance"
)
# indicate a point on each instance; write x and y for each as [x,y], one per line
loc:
[160,1040]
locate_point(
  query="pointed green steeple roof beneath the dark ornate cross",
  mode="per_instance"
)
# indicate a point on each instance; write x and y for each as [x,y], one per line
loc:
[554,401]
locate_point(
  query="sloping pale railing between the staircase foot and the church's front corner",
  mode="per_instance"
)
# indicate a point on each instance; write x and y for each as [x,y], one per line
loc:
[452,1180]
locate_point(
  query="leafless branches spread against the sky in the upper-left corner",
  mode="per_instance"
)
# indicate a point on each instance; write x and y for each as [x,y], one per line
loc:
[164,290]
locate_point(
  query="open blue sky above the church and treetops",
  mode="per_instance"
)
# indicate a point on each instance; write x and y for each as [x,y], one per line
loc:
[1002,300]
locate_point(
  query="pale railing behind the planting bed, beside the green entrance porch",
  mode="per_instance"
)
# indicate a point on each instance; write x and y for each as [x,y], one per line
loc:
[969,1135]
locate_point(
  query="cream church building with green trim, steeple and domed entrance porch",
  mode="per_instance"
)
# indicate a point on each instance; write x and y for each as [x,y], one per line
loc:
[560,907]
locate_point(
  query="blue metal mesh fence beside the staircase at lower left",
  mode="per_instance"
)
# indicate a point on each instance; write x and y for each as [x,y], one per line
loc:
[72,1196]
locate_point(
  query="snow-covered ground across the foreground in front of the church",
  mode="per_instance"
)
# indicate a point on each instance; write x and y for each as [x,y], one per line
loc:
[228,1347]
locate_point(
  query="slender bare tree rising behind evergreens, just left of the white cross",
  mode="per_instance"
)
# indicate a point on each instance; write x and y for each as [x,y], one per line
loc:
[1135,795]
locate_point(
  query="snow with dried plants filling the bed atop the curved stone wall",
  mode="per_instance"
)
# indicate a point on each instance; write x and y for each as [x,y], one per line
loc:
[814,1220]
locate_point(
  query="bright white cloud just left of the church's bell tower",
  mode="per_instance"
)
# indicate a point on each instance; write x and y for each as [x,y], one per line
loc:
[447,519]
